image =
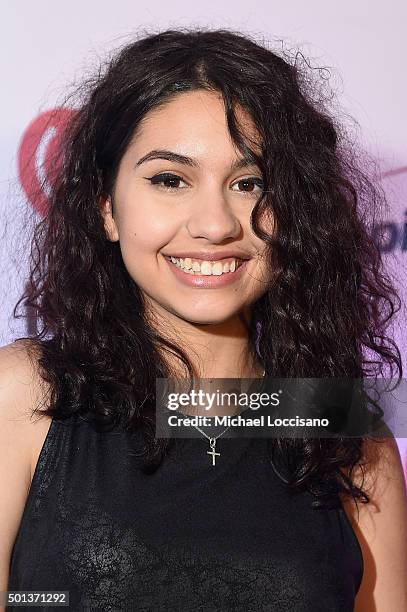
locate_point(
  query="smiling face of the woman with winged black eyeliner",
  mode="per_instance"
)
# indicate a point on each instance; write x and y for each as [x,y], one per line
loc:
[184,192]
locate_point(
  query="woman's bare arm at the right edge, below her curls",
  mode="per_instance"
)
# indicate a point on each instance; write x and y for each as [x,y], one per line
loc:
[381,527]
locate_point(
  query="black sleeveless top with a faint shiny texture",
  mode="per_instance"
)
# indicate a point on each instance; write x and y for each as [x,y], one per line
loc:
[191,536]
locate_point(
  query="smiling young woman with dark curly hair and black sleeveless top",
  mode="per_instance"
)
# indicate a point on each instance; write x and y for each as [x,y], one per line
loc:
[207,220]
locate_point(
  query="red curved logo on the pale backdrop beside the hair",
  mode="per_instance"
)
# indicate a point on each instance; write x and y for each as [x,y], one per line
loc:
[37,160]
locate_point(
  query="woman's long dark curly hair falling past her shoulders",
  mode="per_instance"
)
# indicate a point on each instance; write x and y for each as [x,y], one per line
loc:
[330,299]
